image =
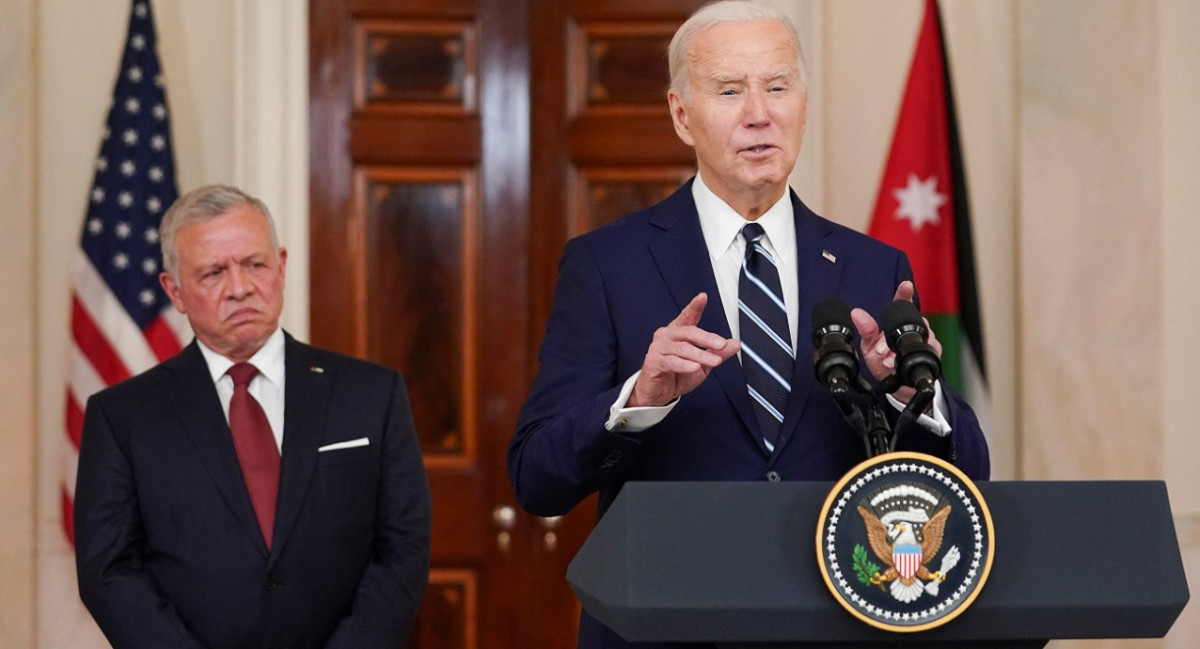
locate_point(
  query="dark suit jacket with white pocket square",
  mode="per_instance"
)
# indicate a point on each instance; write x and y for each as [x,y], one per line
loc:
[167,545]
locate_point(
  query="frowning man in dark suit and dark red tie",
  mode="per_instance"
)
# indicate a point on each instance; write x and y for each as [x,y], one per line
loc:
[292,512]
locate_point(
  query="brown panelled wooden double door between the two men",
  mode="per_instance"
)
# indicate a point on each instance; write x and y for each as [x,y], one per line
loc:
[443,187]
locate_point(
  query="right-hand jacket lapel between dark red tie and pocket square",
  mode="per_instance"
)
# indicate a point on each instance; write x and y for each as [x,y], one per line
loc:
[309,386]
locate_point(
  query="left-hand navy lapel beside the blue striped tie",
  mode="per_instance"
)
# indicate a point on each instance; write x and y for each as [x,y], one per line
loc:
[682,260]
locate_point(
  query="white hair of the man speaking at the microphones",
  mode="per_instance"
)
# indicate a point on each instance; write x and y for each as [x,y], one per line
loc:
[718,14]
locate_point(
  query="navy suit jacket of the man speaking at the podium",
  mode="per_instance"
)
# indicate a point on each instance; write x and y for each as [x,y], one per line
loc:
[616,287]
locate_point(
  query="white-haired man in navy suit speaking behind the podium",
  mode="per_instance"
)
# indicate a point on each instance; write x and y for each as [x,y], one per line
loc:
[638,377]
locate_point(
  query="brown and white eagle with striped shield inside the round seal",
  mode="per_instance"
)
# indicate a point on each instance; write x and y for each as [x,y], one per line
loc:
[905,524]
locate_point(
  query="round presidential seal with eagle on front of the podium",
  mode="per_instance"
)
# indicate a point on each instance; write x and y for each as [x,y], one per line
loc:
[905,542]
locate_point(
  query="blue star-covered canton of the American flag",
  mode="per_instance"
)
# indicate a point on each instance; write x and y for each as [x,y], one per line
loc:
[135,179]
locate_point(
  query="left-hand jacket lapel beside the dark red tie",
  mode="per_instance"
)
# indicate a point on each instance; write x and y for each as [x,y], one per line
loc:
[193,394]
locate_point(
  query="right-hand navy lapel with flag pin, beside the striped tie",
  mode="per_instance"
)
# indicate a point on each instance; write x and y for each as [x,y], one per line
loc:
[820,269]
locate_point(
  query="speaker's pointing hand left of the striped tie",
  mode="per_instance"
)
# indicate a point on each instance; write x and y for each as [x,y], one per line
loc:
[680,358]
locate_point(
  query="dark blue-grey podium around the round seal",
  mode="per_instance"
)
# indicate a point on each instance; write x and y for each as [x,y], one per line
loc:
[735,564]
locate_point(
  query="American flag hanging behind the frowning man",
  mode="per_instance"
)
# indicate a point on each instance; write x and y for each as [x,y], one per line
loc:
[122,322]
